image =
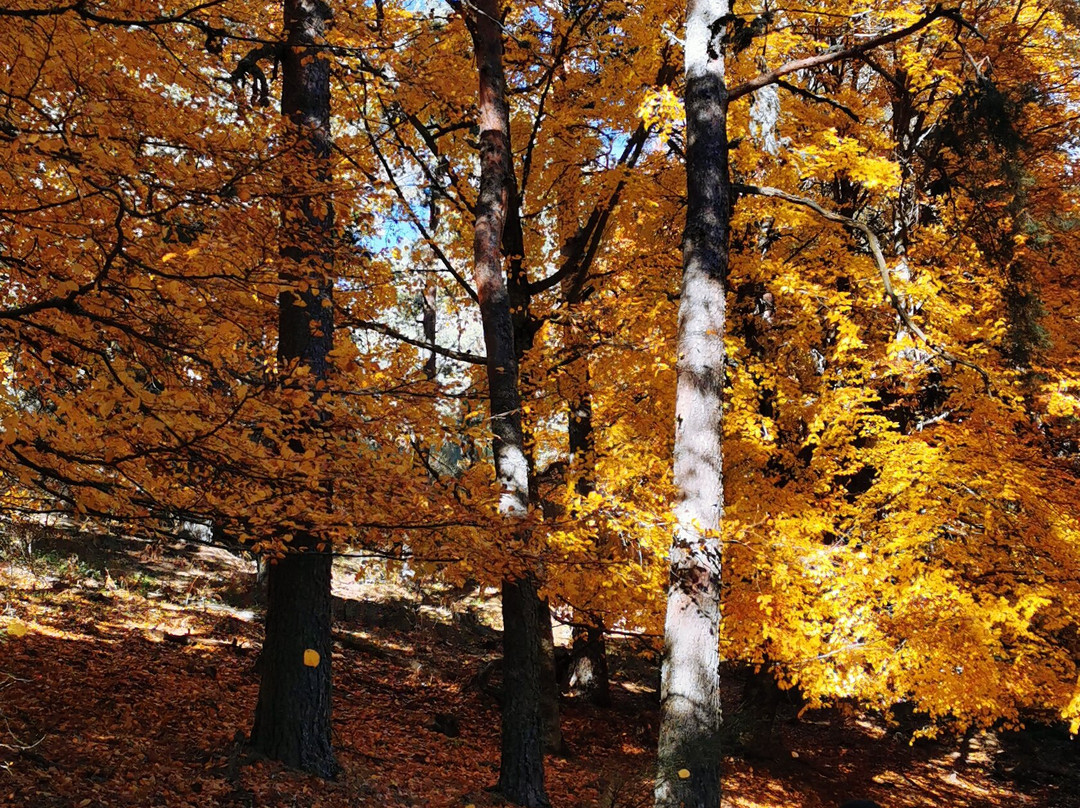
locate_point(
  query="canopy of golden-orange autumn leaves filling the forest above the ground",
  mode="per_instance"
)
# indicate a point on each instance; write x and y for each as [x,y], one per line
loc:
[896,531]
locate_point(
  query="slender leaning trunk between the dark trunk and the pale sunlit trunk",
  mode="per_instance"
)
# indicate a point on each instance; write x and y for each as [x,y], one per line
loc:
[521,776]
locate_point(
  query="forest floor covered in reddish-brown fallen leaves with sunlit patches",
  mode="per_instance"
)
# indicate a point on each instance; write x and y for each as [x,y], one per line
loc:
[129,680]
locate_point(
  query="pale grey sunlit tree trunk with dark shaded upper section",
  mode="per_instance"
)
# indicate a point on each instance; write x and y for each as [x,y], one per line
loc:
[690,758]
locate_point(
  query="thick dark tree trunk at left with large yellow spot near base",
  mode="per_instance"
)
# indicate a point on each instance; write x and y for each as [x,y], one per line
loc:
[293,716]
